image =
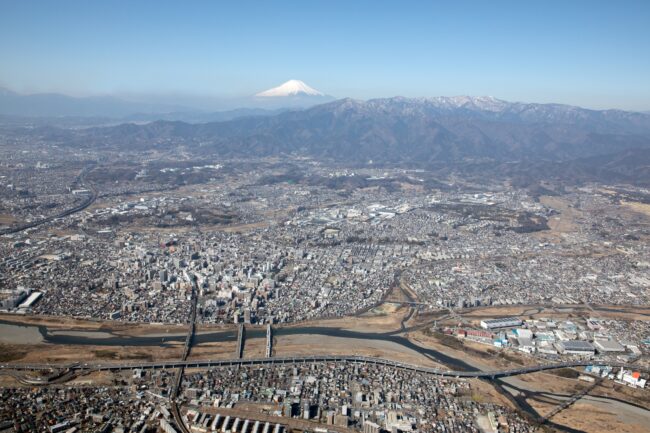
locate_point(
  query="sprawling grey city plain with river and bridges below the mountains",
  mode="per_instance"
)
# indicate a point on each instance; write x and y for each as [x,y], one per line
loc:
[108,257]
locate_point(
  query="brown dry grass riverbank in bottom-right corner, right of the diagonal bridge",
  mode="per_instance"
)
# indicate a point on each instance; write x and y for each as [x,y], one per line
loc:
[593,418]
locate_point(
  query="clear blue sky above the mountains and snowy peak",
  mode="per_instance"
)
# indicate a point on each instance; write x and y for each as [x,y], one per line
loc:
[589,53]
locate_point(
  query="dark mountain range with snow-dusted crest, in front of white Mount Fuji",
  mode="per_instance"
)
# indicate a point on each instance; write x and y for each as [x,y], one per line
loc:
[422,130]
